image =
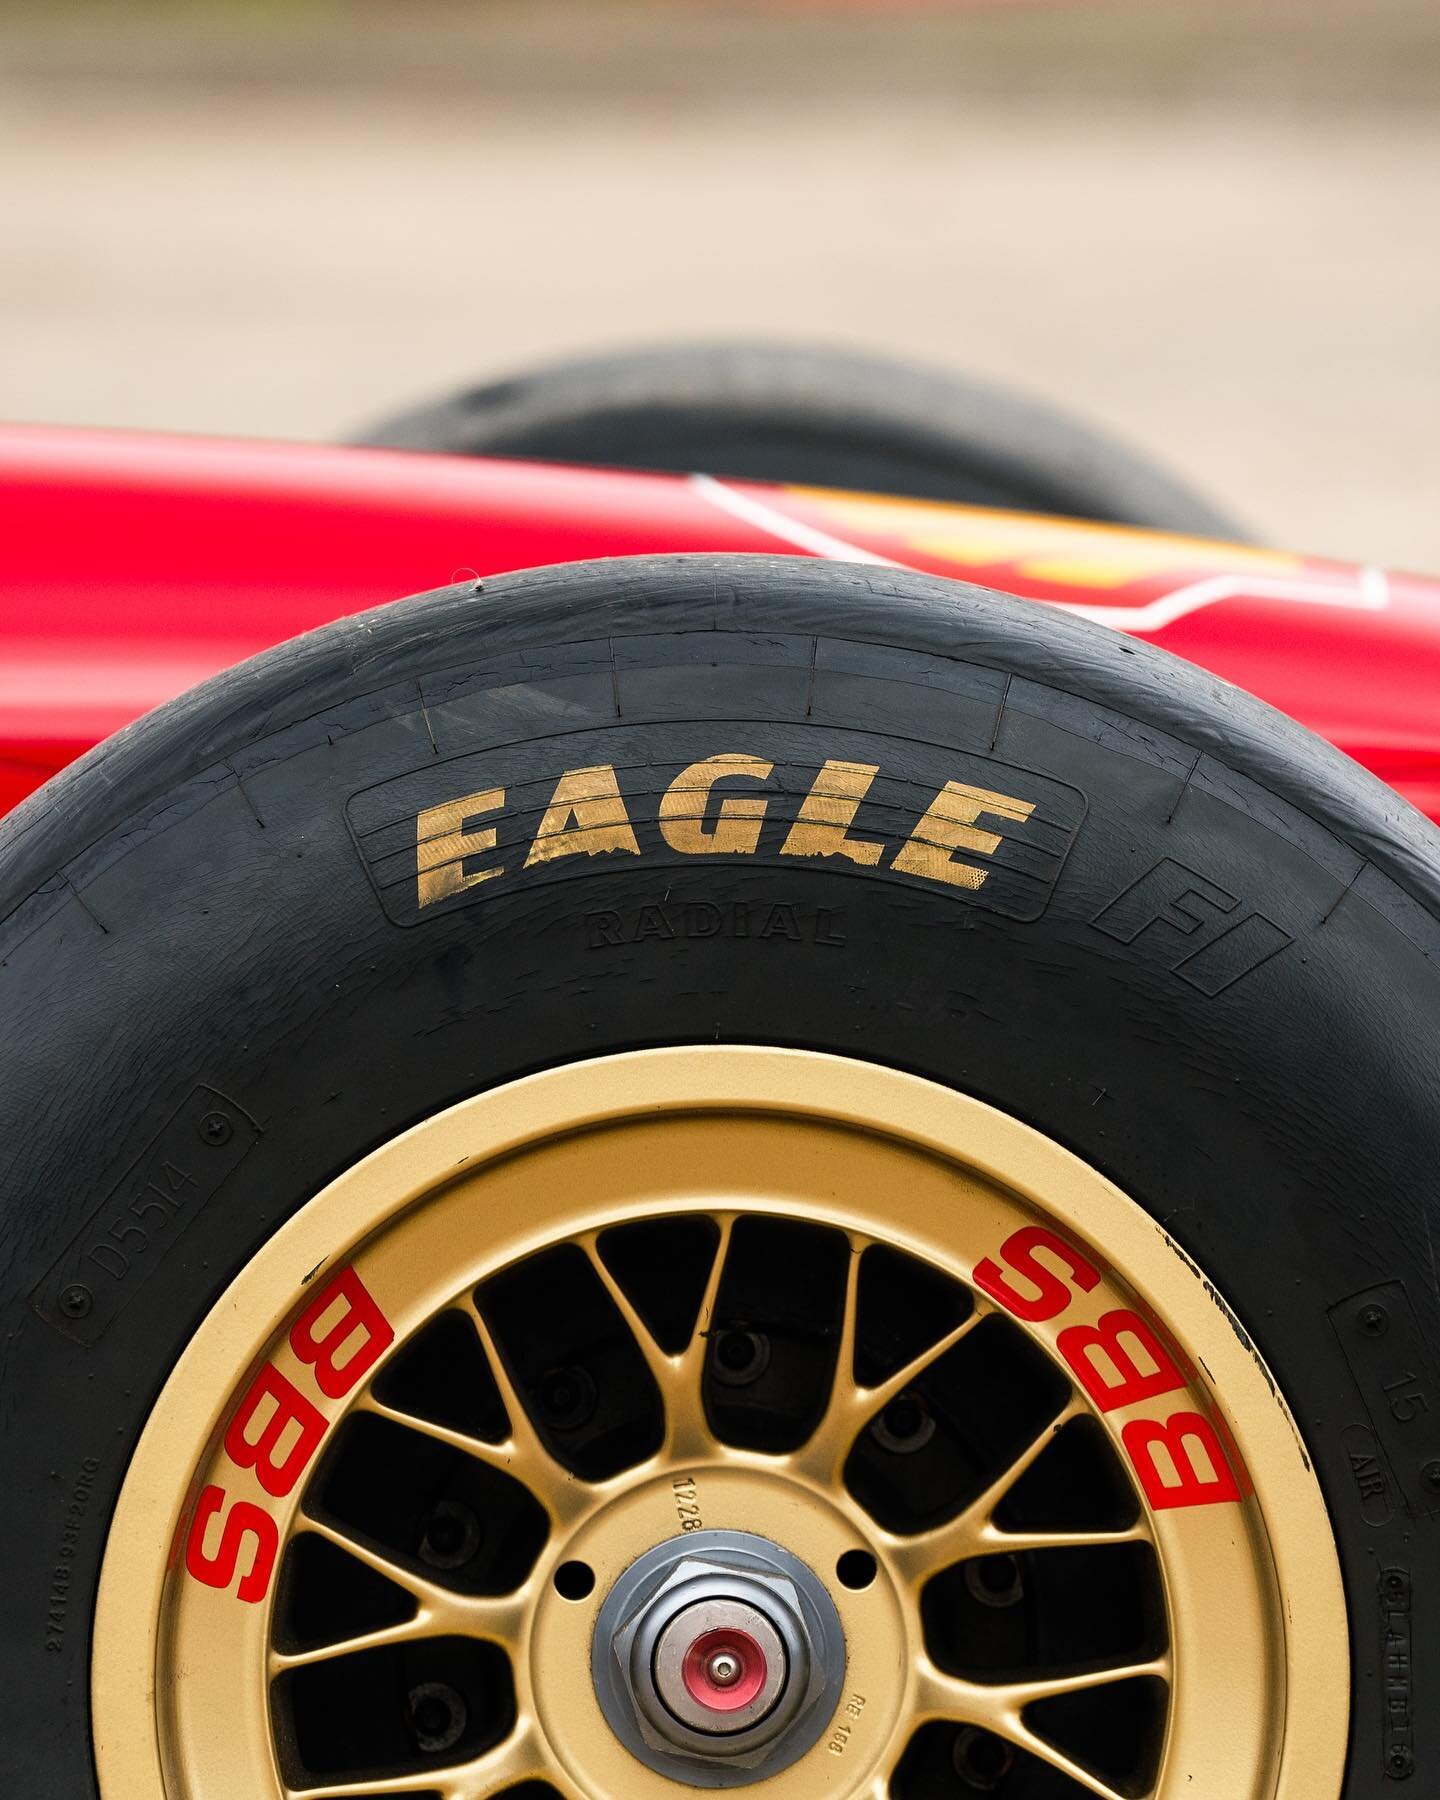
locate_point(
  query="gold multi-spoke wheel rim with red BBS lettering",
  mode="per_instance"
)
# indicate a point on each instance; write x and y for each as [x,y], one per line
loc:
[721,1291]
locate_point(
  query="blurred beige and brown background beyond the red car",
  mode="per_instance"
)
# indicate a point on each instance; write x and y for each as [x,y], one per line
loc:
[1210,226]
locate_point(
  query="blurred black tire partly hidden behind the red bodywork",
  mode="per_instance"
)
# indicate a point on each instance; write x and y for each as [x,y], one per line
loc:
[823,418]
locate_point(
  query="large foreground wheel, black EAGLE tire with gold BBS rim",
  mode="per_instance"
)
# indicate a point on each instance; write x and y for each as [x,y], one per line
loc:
[719,1173]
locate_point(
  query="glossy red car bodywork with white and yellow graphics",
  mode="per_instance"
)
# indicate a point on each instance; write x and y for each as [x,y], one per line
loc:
[138,566]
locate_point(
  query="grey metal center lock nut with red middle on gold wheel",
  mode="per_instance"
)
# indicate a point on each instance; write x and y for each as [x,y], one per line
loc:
[719,1659]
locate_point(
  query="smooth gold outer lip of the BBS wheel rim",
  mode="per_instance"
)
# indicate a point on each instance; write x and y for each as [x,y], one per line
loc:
[715,1079]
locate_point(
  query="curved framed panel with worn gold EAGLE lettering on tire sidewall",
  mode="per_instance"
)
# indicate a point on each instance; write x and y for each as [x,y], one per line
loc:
[496,822]
